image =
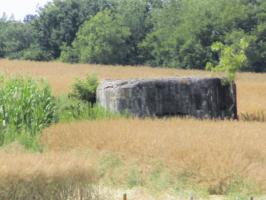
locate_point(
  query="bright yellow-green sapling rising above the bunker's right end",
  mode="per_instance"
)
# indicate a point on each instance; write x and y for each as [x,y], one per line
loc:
[232,58]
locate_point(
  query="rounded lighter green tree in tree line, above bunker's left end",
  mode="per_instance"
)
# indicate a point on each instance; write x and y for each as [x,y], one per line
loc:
[103,39]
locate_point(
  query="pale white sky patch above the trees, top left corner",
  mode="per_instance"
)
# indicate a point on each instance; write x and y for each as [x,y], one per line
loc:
[20,8]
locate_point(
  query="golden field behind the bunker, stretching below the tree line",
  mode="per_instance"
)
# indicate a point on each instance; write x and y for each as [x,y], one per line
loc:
[251,87]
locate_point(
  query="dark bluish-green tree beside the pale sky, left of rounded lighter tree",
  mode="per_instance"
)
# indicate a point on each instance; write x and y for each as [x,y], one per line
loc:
[59,21]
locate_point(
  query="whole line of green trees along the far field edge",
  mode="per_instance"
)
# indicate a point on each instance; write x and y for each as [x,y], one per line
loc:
[167,33]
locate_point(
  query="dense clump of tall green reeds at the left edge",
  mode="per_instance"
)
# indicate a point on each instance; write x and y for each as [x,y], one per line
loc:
[26,107]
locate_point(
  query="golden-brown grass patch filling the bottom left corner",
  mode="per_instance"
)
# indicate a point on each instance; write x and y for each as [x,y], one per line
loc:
[46,176]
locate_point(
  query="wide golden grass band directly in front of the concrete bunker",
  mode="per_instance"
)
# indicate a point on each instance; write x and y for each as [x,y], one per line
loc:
[210,152]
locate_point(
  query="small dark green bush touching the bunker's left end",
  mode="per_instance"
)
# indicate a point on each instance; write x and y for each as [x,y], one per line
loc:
[85,90]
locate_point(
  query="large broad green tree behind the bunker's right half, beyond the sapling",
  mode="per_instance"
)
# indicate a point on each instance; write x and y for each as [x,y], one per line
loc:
[185,30]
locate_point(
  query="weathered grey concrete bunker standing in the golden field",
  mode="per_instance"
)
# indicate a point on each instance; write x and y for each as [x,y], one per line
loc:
[198,97]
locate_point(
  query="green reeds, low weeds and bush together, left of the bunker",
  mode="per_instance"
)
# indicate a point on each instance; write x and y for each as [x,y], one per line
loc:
[28,106]
